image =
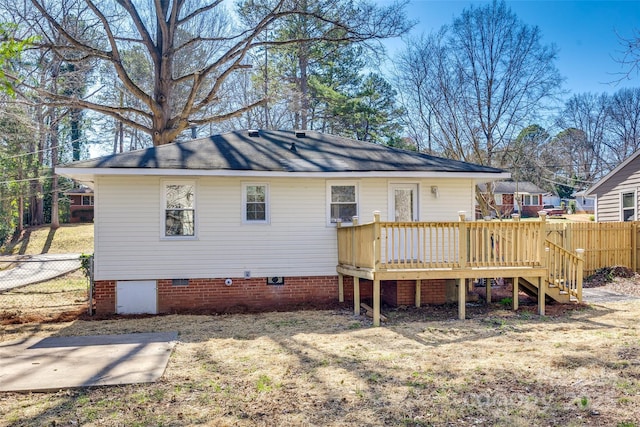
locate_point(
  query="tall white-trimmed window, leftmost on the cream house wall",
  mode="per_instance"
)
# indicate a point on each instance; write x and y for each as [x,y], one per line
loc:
[179,209]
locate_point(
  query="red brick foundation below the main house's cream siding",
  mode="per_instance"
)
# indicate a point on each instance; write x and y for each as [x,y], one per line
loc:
[255,295]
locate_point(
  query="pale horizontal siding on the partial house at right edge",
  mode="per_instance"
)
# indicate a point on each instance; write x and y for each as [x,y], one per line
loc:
[608,200]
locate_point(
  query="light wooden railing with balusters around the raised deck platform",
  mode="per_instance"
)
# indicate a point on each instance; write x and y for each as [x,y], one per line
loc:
[432,245]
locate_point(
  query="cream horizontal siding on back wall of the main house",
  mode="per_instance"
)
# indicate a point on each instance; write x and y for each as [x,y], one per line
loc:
[296,242]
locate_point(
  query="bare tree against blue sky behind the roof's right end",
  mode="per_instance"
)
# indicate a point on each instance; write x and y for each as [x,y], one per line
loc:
[474,85]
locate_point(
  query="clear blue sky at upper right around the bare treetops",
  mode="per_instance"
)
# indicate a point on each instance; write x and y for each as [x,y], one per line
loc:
[585,32]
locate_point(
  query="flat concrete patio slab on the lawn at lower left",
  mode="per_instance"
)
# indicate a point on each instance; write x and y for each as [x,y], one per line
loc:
[54,363]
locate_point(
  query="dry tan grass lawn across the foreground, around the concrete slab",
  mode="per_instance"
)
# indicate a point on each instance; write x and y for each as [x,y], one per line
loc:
[330,368]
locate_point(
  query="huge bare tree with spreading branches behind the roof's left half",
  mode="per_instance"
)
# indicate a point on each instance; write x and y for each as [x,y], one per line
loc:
[184,93]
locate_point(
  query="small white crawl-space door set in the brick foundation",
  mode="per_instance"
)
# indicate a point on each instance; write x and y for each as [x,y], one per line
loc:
[136,297]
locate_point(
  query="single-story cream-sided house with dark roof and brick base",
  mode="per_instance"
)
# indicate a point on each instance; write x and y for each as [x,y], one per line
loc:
[246,220]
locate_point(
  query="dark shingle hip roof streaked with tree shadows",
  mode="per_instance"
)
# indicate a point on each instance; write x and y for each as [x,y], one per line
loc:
[282,151]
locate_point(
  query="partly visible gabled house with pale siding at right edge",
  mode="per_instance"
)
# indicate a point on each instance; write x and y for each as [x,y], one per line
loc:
[616,194]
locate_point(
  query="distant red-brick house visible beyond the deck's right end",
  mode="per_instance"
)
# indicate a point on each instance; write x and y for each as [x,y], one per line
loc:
[511,197]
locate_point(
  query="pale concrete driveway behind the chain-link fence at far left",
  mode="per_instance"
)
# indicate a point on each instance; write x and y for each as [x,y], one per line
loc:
[36,268]
